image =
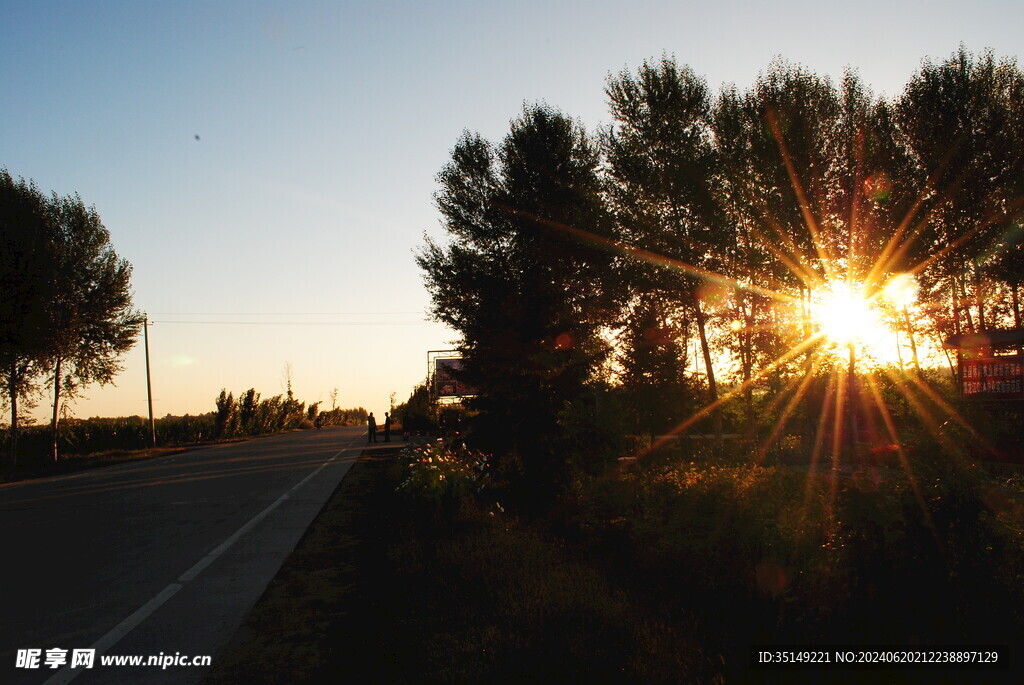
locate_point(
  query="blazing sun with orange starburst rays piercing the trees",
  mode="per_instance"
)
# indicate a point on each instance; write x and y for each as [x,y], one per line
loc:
[839,441]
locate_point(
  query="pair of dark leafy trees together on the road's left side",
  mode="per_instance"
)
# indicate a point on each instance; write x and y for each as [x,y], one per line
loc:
[68,295]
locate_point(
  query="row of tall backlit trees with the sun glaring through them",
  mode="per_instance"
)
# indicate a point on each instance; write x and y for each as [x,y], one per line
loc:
[721,219]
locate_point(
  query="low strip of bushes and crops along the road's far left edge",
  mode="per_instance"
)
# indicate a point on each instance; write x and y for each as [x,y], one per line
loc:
[248,416]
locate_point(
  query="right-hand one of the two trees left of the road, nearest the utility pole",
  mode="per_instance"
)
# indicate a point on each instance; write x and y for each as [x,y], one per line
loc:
[92,320]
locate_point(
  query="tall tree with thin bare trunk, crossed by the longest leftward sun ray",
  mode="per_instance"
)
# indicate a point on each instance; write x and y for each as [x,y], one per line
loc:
[661,160]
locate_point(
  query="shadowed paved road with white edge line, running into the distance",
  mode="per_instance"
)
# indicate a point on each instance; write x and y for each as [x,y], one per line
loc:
[161,558]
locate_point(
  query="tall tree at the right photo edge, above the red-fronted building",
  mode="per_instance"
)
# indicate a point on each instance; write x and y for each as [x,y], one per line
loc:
[962,121]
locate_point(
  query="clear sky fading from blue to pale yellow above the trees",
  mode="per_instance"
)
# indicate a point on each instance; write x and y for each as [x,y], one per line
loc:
[269,168]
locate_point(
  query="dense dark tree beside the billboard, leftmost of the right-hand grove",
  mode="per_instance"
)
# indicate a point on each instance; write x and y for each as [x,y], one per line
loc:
[525,279]
